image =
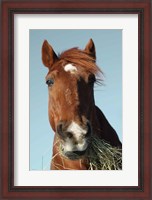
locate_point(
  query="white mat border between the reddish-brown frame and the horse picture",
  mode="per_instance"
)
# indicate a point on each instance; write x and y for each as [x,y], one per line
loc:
[126,177]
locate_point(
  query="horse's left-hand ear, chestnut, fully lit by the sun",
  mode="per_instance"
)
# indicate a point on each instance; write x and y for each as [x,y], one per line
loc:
[48,55]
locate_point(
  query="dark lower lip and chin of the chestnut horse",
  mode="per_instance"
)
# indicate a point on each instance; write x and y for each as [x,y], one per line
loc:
[74,155]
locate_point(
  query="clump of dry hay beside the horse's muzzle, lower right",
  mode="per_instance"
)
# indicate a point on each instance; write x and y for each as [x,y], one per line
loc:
[102,156]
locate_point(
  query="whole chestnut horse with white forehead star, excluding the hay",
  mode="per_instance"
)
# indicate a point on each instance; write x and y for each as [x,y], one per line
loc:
[73,115]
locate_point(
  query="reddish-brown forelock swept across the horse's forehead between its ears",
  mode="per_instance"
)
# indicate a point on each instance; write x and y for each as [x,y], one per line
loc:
[80,58]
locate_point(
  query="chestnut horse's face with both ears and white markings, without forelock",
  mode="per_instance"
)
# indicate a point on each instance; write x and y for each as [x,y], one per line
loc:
[71,100]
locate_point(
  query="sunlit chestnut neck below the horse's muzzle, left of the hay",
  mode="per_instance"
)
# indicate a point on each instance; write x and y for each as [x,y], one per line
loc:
[59,162]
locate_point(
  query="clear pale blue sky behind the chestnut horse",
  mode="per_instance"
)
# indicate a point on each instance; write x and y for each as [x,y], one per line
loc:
[107,97]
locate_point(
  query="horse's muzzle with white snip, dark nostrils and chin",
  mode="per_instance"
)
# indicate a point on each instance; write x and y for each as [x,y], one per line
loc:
[75,139]
